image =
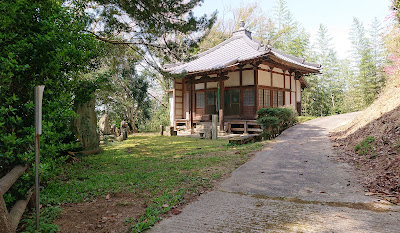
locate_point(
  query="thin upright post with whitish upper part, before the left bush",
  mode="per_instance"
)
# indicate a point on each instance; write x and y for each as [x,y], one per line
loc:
[38,131]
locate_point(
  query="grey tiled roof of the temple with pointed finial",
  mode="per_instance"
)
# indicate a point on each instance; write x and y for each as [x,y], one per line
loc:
[239,48]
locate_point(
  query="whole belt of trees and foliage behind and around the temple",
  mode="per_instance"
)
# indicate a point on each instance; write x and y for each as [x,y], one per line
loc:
[114,53]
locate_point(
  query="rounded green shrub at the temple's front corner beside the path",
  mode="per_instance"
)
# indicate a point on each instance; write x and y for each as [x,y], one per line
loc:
[276,120]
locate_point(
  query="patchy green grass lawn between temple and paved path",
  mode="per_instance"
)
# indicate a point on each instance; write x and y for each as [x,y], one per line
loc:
[161,172]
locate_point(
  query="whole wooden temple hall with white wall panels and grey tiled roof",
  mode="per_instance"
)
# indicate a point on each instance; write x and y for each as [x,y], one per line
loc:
[235,79]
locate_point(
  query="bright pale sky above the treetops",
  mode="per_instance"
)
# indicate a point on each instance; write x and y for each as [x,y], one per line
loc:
[337,15]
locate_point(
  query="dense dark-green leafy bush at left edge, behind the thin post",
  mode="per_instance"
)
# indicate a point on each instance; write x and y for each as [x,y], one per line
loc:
[41,44]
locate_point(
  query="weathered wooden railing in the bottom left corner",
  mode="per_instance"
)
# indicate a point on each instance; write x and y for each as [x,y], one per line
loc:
[9,220]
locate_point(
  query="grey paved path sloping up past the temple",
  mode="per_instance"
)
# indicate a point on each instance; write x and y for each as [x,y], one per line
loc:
[295,185]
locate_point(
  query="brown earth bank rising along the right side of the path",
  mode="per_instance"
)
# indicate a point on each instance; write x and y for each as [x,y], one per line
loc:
[375,132]
